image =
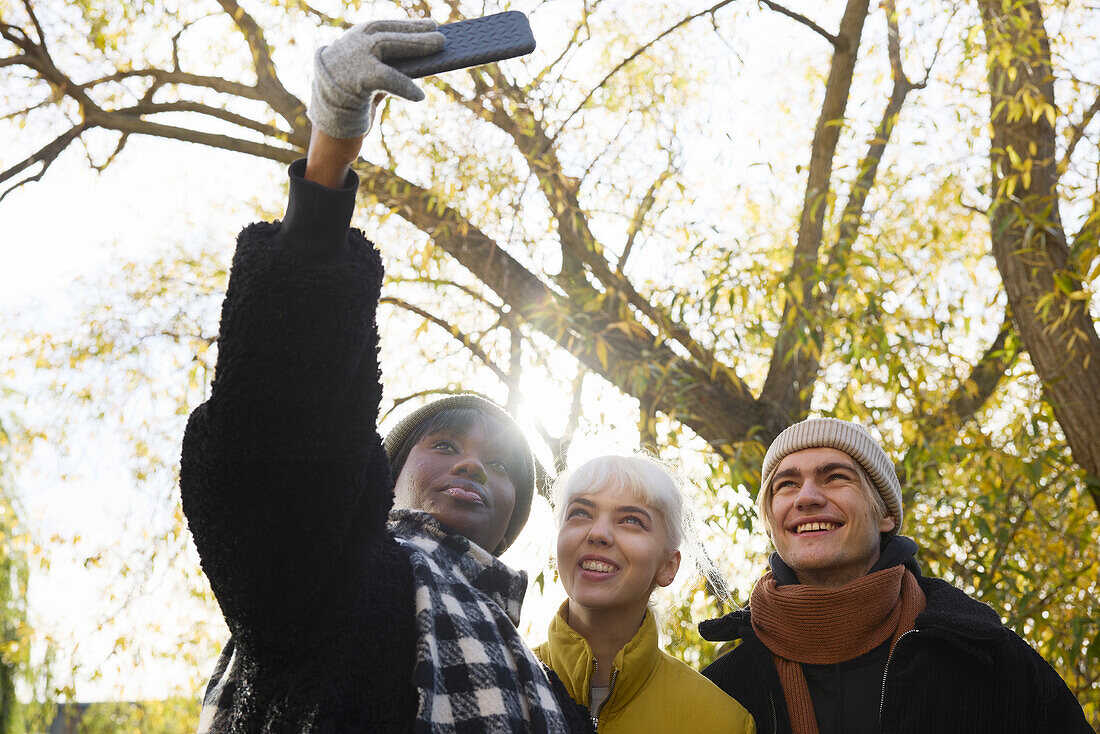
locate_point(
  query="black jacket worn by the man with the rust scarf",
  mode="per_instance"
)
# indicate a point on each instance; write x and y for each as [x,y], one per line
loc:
[960,670]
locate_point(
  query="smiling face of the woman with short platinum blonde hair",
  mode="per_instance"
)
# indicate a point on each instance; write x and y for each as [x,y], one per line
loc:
[613,551]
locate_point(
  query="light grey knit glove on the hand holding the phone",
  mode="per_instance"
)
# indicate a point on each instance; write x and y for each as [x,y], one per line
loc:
[350,73]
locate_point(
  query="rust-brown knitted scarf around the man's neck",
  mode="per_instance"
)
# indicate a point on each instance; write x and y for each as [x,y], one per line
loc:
[823,627]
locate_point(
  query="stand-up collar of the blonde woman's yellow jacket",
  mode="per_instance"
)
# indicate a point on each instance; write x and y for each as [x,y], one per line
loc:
[570,656]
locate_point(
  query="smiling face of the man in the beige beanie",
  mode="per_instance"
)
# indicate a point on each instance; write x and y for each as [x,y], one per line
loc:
[824,523]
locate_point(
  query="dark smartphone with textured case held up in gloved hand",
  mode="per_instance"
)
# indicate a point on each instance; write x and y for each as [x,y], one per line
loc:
[472,43]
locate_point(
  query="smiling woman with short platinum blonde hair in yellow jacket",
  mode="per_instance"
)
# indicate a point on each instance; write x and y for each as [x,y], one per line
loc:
[621,523]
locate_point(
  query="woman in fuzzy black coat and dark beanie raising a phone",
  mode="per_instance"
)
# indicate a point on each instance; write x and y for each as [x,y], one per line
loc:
[345,617]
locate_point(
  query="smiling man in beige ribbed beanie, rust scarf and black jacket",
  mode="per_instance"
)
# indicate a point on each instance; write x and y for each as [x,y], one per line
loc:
[844,636]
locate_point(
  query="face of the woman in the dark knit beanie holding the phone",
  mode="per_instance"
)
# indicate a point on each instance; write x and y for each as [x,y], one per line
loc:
[460,476]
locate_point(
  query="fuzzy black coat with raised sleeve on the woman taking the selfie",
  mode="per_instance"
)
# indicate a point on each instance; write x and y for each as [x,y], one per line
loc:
[287,487]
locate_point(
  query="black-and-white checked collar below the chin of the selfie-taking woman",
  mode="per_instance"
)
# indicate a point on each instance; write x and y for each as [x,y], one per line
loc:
[463,557]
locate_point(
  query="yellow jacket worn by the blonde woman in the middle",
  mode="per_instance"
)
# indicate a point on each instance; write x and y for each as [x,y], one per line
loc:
[652,692]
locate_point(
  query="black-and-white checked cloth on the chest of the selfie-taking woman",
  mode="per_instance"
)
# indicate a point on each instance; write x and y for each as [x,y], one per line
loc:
[474,671]
